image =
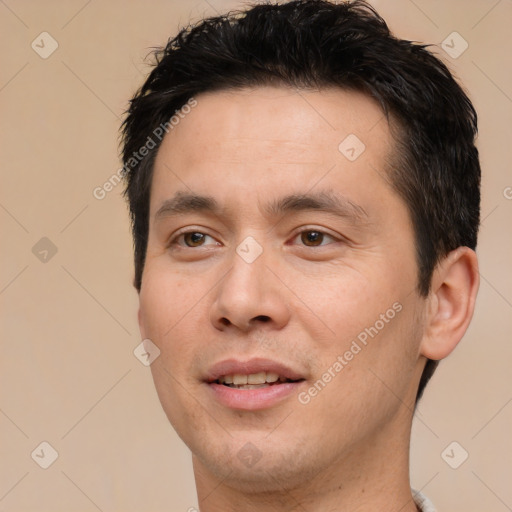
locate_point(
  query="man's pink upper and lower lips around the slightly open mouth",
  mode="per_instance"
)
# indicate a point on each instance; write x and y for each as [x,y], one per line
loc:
[252,399]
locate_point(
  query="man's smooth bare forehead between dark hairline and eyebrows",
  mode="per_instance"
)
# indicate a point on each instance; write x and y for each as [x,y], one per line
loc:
[270,137]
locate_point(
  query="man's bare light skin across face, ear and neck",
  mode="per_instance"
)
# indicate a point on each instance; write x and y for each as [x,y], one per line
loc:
[298,303]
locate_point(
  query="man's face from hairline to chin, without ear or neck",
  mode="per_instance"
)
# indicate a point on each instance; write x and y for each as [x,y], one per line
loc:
[280,251]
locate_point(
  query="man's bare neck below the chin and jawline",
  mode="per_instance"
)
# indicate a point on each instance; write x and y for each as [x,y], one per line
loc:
[373,475]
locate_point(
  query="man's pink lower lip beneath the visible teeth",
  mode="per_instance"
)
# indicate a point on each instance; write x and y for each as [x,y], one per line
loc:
[254,399]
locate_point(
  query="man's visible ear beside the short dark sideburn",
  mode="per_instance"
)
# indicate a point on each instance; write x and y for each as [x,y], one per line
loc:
[451,301]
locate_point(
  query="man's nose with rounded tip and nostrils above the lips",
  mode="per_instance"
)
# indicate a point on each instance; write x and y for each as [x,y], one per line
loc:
[248,297]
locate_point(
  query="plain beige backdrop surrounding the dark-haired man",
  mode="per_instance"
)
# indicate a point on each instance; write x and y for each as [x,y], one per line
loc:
[68,373]
